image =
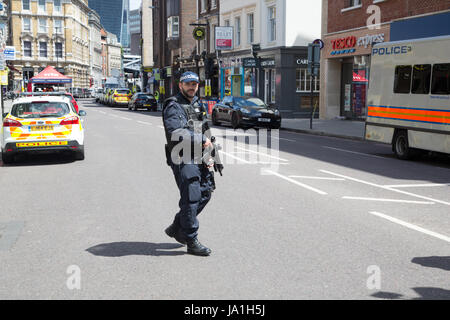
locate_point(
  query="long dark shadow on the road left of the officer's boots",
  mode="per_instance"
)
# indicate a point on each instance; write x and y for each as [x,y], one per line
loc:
[120,249]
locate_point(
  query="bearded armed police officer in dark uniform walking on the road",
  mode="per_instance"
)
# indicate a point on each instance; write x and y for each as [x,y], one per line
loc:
[194,179]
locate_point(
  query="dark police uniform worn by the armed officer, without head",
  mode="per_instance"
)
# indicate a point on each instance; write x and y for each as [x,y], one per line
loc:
[194,180]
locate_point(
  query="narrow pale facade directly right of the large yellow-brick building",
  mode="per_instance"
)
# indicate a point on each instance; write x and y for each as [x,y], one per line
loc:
[95,41]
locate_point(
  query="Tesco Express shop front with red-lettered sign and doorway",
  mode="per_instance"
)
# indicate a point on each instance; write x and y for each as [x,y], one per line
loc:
[346,62]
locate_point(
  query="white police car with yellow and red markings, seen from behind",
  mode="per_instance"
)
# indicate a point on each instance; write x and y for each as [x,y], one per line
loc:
[42,123]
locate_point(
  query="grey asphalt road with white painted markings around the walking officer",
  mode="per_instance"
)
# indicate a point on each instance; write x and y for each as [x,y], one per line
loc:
[322,218]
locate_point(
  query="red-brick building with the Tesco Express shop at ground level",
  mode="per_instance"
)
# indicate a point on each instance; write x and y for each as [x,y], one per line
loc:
[350,28]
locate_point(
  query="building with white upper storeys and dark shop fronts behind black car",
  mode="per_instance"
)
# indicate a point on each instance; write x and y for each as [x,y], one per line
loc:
[269,55]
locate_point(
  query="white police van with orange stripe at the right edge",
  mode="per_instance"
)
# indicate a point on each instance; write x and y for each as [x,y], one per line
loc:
[409,96]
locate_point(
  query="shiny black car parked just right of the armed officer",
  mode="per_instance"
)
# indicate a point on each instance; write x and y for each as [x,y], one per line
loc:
[246,112]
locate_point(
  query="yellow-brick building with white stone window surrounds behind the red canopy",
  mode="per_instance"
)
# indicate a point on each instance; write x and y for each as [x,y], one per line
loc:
[52,33]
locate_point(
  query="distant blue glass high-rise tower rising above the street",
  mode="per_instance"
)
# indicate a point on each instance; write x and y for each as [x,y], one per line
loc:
[114,16]
